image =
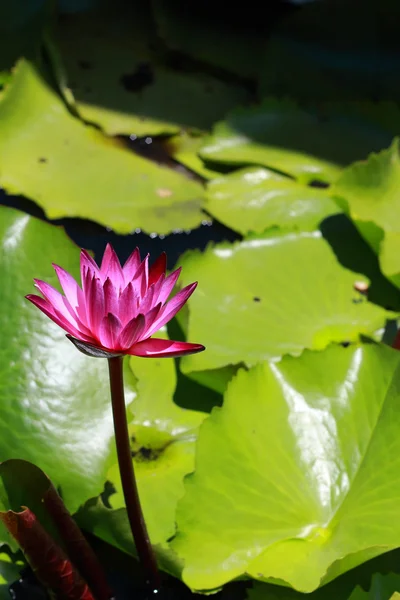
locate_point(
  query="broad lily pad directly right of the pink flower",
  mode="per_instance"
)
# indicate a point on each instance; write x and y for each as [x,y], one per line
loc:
[272,295]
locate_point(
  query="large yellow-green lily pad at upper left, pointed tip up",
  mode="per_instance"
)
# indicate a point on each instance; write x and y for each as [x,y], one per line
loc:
[71,169]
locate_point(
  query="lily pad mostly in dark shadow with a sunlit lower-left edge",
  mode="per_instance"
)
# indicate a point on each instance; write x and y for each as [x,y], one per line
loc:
[279,135]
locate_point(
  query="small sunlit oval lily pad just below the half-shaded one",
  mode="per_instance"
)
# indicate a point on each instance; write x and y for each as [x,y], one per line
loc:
[255,199]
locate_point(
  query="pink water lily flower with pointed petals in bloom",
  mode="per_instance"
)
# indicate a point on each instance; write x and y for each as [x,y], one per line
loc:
[118,309]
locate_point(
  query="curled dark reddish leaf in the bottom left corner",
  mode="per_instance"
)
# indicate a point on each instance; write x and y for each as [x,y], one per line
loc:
[56,549]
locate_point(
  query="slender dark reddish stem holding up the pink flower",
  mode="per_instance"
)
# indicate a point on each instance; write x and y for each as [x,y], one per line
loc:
[129,485]
